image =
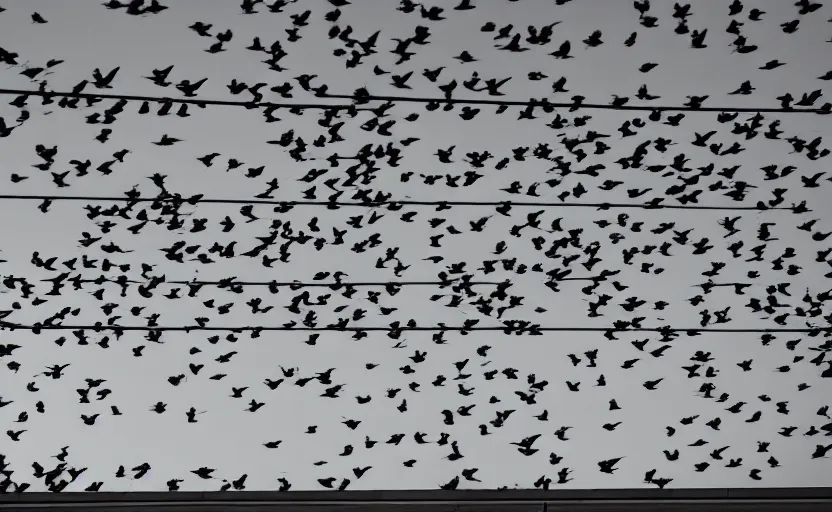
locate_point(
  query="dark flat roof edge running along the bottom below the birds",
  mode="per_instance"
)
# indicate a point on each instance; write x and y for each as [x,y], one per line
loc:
[514,500]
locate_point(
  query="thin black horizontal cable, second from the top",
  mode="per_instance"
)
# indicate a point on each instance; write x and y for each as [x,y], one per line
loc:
[375,204]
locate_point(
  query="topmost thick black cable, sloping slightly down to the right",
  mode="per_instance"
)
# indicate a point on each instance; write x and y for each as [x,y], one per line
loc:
[394,99]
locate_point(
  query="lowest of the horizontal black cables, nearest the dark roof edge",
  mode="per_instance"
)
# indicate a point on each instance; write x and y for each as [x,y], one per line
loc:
[515,330]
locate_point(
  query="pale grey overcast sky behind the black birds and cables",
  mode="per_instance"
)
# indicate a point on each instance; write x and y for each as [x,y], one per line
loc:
[85,35]
